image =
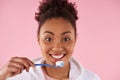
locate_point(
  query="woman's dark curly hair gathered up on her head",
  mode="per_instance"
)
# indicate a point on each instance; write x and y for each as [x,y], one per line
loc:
[55,9]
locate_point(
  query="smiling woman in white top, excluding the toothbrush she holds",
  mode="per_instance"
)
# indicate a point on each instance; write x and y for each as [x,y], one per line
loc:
[56,37]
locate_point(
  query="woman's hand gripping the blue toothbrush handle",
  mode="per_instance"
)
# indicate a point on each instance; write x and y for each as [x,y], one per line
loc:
[15,66]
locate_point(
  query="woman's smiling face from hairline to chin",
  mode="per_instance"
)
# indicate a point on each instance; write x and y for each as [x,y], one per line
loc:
[57,40]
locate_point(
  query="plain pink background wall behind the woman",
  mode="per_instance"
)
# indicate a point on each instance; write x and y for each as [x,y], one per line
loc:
[98,44]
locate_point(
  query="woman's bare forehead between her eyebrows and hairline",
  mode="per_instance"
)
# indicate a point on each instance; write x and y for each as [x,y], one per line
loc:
[57,25]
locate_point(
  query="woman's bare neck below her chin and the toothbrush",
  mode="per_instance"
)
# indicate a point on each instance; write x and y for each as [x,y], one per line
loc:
[58,73]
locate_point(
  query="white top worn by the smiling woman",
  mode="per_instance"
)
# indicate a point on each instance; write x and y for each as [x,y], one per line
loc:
[77,72]
